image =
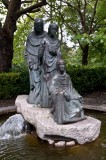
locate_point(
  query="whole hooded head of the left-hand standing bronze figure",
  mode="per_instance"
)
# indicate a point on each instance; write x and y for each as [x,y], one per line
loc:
[38,26]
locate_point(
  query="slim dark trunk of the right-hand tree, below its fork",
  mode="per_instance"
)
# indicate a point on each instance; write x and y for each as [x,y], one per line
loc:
[85,55]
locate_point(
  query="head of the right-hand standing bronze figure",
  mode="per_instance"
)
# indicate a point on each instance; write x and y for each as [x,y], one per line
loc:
[53,29]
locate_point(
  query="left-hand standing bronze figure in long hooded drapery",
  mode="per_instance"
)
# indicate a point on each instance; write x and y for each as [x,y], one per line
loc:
[33,59]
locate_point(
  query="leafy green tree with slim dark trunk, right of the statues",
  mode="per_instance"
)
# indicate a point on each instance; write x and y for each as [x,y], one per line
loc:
[82,19]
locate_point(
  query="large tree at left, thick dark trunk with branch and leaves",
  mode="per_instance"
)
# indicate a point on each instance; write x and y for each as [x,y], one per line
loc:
[14,9]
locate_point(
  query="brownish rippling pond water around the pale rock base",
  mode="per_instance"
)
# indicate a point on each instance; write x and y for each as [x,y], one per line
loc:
[28,147]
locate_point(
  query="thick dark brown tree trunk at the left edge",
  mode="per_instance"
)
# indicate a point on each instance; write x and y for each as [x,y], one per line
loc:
[7,36]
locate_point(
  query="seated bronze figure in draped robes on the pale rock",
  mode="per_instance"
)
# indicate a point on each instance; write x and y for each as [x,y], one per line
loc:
[65,100]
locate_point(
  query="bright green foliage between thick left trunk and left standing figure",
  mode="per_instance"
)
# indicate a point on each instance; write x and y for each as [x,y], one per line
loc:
[19,41]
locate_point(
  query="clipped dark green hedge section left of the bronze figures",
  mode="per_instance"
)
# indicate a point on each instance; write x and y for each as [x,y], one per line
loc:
[13,84]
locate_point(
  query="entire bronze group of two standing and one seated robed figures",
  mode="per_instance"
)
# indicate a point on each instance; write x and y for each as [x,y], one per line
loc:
[50,85]
